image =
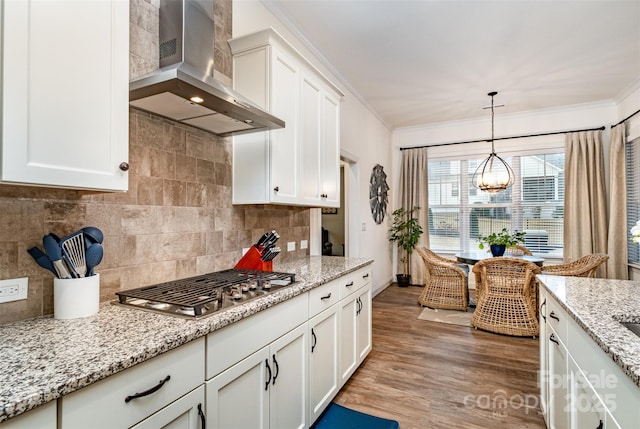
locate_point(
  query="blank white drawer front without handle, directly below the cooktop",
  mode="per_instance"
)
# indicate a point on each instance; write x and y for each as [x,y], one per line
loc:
[235,342]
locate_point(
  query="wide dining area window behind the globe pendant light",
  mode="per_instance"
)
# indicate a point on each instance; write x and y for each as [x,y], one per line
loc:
[459,213]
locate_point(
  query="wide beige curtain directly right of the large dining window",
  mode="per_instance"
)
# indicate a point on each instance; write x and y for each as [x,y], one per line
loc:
[585,218]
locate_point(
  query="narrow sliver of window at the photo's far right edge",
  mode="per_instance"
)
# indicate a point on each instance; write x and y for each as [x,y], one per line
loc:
[633,195]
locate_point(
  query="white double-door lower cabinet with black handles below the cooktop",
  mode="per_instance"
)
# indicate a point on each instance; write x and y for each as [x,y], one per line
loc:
[267,389]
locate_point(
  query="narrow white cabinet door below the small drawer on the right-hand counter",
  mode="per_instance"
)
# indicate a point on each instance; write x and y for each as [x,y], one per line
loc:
[559,406]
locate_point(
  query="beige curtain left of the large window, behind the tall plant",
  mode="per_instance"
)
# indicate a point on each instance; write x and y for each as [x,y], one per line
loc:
[414,193]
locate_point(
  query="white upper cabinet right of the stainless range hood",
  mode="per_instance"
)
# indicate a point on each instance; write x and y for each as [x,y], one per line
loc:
[299,164]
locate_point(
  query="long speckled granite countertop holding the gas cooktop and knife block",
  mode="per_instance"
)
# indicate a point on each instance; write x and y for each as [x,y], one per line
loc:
[44,358]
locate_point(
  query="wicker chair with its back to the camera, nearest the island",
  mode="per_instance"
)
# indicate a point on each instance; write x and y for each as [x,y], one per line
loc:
[506,297]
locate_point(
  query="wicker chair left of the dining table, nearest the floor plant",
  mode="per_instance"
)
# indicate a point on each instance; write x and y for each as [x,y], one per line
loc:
[446,285]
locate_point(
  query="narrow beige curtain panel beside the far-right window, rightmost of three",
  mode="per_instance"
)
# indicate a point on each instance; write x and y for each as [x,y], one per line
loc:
[617,250]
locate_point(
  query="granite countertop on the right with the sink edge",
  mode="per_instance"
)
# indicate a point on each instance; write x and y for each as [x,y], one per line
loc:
[598,305]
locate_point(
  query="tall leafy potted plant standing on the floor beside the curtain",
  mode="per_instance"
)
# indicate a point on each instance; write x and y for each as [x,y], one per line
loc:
[406,231]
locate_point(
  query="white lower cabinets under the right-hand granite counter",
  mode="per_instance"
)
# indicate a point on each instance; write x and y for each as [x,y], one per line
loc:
[580,385]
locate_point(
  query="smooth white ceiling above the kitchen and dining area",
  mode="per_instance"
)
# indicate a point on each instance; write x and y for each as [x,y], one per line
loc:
[417,62]
